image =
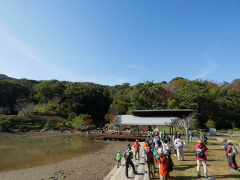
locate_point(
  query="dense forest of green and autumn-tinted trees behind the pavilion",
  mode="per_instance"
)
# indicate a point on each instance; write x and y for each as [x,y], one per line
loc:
[218,104]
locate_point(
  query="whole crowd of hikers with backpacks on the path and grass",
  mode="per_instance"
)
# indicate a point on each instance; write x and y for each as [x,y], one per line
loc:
[157,149]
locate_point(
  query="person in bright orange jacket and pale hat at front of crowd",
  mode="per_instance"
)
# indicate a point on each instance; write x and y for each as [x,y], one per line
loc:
[163,165]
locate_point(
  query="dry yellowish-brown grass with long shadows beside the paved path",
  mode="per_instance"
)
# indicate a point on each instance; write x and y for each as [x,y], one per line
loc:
[216,164]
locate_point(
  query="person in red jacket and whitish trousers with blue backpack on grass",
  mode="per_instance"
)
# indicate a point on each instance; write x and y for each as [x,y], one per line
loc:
[201,157]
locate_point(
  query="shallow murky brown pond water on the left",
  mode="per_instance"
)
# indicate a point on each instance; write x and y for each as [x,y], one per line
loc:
[21,153]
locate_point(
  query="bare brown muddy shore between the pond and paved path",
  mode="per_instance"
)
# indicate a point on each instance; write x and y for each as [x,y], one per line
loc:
[95,165]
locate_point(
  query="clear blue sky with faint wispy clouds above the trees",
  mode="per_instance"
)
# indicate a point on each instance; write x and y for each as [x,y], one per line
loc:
[111,42]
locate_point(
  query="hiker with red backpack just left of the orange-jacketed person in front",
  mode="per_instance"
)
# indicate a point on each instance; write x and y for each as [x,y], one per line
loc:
[149,160]
